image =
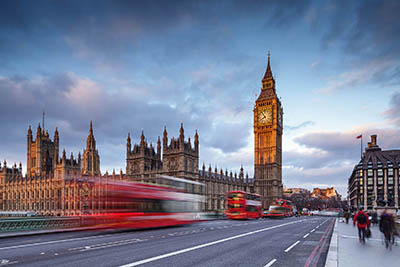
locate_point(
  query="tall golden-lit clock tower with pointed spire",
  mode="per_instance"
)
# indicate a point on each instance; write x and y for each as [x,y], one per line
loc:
[268,119]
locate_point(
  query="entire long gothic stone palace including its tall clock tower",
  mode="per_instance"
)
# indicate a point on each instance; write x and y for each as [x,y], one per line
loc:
[57,185]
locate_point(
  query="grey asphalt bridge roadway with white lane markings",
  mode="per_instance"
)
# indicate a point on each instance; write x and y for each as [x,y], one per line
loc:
[292,241]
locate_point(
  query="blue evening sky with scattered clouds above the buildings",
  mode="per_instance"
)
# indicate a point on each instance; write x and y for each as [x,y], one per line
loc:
[133,65]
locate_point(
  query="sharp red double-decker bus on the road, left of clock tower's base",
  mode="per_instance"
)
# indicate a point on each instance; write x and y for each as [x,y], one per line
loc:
[243,205]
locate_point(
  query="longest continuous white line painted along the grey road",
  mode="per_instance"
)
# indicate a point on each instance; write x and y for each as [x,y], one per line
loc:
[136,263]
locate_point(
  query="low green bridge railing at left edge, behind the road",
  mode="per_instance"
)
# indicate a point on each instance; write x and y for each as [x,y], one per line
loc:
[39,223]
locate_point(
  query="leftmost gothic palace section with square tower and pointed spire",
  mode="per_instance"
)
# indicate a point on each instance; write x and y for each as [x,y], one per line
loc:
[53,185]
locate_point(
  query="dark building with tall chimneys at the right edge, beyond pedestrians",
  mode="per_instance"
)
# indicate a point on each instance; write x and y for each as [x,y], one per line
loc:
[374,181]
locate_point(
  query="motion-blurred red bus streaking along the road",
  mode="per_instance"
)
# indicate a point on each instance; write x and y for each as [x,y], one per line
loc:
[134,205]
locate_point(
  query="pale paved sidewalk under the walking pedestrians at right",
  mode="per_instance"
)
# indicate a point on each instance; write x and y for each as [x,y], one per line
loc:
[346,250]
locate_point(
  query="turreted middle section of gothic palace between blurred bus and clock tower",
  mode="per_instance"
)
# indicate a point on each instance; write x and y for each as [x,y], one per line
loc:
[180,158]
